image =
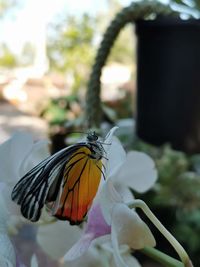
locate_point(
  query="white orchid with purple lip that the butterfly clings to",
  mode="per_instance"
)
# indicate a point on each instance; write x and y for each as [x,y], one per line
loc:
[123,226]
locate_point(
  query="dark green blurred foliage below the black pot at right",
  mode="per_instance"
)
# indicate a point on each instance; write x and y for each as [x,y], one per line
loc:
[176,194]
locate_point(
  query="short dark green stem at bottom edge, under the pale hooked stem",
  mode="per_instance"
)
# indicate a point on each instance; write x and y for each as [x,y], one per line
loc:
[161,257]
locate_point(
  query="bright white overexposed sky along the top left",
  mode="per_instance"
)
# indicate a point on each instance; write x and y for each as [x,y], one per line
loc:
[22,25]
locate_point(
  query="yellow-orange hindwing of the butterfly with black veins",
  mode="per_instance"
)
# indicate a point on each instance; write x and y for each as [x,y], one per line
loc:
[81,180]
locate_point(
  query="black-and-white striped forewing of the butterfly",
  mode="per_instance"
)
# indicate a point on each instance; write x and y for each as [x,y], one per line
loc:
[33,188]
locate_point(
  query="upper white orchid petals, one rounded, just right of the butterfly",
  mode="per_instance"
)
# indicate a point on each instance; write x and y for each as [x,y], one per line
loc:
[134,170]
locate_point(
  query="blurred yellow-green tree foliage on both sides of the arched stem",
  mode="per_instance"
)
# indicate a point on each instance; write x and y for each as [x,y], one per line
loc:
[72,45]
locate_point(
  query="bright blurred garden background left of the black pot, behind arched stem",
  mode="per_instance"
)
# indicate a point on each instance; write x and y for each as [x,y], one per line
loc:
[46,54]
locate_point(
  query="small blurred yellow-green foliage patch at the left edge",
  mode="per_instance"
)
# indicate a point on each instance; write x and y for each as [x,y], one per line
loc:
[7,58]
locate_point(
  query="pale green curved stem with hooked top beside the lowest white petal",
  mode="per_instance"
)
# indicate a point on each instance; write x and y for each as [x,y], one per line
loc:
[176,245]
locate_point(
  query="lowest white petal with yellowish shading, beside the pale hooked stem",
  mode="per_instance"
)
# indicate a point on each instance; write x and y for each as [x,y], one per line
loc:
[128,229]
